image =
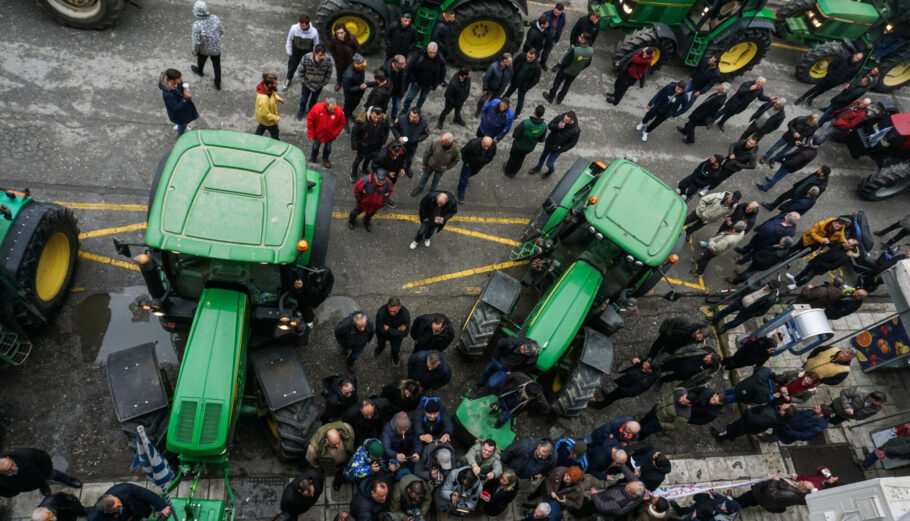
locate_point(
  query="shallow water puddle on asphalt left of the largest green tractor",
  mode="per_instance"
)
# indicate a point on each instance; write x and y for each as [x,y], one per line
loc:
[110,322]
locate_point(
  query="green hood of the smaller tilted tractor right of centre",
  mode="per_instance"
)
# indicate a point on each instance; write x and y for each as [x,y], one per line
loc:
[559,315]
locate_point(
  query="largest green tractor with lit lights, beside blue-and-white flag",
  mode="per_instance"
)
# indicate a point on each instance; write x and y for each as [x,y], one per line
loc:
[230,212]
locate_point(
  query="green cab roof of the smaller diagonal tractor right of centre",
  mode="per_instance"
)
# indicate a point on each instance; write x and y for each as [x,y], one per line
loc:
[637,211]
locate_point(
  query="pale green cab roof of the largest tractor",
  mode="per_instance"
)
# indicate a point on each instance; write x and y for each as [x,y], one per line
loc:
[231,196]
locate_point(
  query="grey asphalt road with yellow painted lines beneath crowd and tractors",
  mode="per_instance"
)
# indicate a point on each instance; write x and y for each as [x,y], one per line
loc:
[82,122]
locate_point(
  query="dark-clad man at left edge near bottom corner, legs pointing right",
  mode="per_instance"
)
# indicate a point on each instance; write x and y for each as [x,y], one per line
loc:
[27,469]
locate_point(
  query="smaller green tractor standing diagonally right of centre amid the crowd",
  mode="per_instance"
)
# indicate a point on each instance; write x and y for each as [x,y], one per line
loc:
[604,236]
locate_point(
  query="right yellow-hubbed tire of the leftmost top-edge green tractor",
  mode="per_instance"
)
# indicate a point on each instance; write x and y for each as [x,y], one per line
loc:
[483,30]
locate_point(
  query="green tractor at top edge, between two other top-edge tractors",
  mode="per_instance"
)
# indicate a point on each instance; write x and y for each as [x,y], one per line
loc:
[738,32]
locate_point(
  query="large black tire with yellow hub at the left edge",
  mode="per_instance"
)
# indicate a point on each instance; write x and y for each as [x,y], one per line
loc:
[49,261]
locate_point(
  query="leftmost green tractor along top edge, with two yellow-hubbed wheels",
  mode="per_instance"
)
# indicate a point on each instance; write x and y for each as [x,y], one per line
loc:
[483,29]
